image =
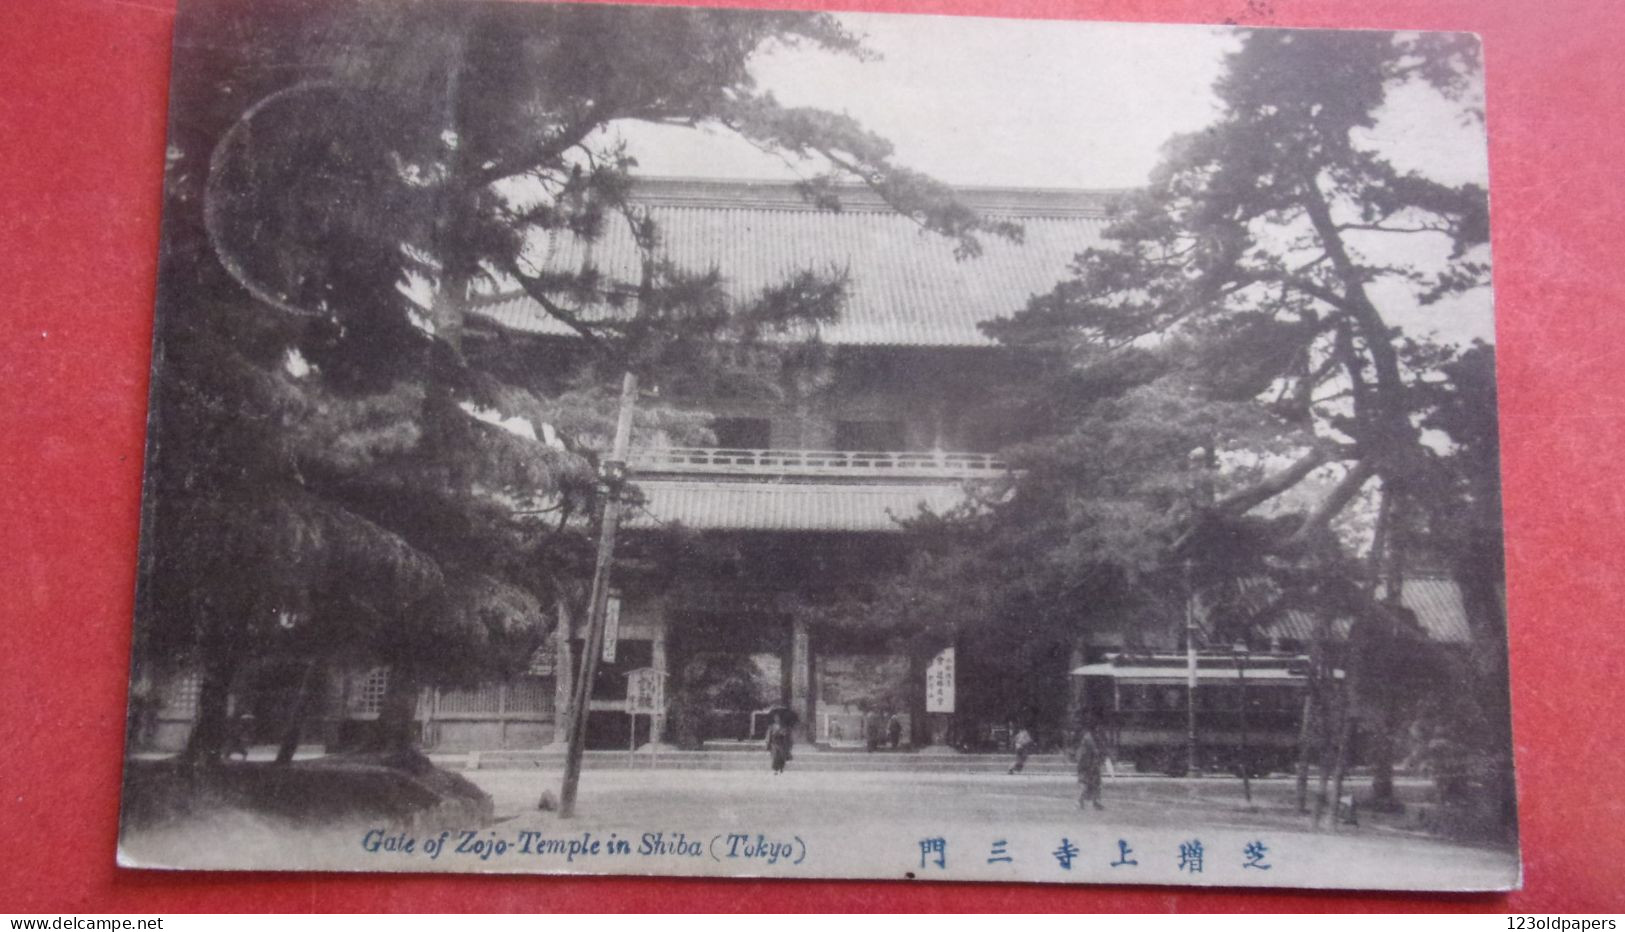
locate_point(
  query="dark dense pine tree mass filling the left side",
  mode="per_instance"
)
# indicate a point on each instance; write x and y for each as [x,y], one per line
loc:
[336,465]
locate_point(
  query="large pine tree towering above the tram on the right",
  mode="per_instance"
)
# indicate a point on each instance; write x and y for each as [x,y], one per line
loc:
[1220,410]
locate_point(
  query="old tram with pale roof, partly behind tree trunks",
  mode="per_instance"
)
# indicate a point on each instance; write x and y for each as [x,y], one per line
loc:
[1142,705]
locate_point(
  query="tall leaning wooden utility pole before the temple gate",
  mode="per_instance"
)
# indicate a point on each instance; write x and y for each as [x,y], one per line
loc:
[613,478]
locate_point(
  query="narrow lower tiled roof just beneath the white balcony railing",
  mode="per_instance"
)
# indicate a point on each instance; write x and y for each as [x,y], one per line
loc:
[786,506]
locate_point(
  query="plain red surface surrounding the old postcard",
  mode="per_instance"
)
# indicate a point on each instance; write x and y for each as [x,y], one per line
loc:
[82,144]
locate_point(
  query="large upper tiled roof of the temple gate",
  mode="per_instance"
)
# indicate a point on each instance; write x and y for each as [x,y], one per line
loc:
[908,288]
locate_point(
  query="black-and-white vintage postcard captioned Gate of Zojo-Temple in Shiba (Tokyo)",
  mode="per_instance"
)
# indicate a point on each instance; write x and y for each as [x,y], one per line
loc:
[756,444]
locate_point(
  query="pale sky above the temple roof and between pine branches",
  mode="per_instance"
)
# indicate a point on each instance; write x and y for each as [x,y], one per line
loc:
[1031,103]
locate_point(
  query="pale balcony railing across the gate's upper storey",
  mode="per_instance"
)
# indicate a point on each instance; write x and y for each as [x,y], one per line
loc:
[869,464]
